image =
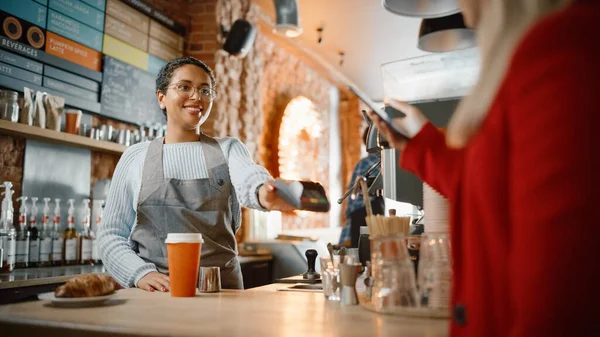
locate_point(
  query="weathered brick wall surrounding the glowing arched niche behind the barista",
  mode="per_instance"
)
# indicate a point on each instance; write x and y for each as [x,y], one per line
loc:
[254,92]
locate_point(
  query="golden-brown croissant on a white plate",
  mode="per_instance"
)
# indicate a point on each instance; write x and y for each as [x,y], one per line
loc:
[87,285]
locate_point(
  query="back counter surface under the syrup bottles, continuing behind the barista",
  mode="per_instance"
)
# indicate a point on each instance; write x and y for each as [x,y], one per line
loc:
[28,277]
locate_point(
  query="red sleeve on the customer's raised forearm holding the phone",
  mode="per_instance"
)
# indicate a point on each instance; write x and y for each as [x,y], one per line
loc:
[427,156]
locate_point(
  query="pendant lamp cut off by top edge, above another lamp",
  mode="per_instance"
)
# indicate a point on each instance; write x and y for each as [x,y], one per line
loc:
[421,8]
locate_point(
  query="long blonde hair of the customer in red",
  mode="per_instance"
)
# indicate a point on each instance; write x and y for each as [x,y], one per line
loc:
[502,25]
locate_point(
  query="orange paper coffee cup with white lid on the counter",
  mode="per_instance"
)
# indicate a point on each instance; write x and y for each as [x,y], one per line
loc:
[183,251]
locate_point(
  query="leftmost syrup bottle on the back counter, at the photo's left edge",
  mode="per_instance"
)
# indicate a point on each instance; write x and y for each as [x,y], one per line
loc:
[8,234]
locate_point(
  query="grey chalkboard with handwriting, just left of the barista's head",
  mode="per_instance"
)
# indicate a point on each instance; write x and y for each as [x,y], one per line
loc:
[129,94]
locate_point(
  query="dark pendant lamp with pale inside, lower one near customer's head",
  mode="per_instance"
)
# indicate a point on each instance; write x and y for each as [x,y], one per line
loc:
[445,34]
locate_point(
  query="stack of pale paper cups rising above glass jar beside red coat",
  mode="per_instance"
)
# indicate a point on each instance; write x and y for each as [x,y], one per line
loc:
[436,209]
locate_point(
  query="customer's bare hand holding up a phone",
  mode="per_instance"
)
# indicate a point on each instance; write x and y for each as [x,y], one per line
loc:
[409,126]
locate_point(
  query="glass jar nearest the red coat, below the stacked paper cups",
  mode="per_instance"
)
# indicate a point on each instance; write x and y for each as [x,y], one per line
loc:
[435,271]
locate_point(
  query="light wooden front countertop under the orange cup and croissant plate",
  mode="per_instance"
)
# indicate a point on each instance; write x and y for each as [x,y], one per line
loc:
[134,312]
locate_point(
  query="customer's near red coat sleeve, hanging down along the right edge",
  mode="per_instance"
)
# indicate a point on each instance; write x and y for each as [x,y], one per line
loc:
[552,107]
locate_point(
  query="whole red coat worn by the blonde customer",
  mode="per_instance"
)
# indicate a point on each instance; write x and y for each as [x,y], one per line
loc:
[524,192]
